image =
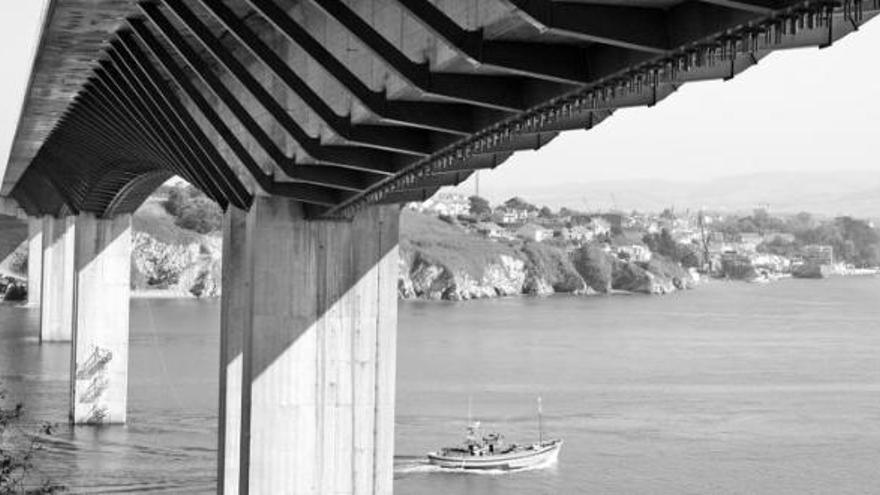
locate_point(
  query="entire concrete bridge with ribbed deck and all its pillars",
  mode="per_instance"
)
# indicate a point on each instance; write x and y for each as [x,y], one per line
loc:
[309,121]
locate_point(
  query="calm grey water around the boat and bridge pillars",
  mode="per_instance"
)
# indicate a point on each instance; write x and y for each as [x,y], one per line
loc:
[731,388]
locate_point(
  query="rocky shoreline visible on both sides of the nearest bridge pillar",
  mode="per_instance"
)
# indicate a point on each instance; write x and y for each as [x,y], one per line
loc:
[438,261]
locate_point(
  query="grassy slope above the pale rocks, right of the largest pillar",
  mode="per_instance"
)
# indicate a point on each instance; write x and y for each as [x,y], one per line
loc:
[448,245]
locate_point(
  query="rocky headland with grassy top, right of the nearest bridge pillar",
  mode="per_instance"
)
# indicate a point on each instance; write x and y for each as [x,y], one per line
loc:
[439,261]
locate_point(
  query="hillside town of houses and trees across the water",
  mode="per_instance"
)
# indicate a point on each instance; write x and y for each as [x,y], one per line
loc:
[756,247]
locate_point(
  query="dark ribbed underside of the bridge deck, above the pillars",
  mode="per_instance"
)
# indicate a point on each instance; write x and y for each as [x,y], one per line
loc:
[344,104]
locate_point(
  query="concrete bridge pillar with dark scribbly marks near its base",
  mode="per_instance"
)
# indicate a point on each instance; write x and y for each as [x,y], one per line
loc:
[99,353]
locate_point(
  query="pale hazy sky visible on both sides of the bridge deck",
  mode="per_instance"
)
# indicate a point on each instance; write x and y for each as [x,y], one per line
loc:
[805,109]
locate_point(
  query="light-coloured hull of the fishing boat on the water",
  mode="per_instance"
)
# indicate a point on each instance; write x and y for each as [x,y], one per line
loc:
[520,459]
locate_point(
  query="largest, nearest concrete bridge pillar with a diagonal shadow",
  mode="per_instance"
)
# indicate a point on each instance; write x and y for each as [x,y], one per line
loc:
[318,351]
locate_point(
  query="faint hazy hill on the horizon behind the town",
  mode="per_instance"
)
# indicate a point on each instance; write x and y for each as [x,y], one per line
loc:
[855,193]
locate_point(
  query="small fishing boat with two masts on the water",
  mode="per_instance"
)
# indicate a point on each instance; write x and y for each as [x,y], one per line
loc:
[490,452]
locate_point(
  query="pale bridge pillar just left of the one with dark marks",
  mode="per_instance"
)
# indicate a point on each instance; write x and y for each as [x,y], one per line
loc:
[56,300]
